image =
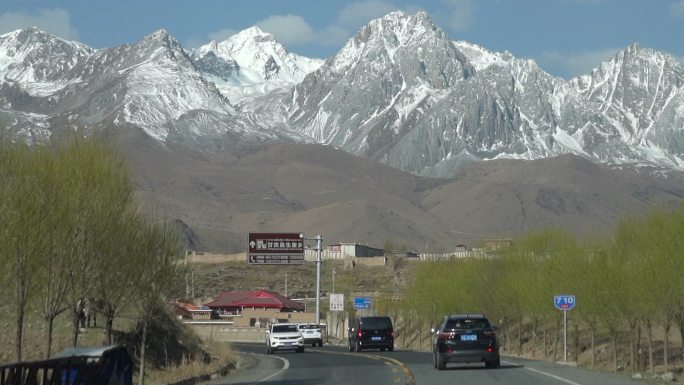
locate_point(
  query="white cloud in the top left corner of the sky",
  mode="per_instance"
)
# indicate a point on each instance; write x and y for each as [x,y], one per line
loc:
[54,21]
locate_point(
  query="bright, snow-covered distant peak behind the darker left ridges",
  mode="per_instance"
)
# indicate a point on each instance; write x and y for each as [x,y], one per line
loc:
[251,63]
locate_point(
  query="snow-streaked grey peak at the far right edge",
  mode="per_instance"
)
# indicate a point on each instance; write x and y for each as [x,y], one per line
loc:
[640,91]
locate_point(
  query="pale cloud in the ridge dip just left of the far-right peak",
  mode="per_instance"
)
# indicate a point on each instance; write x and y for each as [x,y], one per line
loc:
[574,64]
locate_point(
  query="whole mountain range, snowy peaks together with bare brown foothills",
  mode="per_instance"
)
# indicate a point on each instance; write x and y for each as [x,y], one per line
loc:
[400,93]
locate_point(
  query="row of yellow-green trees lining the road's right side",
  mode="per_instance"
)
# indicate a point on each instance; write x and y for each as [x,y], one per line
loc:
[627,287]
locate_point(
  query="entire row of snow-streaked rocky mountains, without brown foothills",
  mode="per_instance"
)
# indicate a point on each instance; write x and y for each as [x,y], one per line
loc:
[400,92]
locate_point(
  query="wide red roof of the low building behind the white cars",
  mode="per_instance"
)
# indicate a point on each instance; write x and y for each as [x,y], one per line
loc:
[236,301]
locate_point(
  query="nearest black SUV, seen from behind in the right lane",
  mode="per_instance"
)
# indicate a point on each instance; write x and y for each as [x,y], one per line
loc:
[465,338]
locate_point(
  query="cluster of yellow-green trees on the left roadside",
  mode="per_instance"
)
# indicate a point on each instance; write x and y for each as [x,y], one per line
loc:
[72,232]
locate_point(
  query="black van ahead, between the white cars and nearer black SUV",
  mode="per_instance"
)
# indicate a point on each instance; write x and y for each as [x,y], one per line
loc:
[371,332]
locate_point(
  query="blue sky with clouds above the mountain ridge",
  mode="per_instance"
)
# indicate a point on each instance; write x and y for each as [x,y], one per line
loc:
[566,37]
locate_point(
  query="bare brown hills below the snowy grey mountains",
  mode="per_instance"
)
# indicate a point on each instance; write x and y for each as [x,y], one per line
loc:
[319,189]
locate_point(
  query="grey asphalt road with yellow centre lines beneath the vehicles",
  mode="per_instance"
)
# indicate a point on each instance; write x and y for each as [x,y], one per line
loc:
[335,365]
